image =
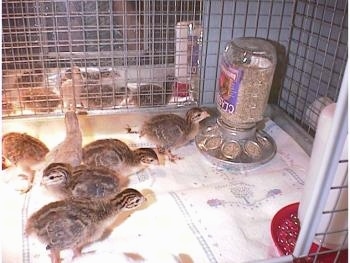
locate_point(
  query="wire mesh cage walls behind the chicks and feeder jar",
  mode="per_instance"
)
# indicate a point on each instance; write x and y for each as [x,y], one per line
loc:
[127,56]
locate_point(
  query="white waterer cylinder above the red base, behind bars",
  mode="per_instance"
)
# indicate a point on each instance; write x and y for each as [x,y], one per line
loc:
[338,198]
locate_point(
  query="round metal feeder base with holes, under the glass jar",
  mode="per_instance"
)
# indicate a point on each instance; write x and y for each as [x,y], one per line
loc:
[235,149]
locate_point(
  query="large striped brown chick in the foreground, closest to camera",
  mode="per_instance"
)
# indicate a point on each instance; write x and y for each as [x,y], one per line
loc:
[76,222]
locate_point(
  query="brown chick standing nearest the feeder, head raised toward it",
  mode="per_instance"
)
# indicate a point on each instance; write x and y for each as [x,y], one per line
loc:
[170,131]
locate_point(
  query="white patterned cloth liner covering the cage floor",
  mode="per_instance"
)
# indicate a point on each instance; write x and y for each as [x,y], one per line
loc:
[197,212]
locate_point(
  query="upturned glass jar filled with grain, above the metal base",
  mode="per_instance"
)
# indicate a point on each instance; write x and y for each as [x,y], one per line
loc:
[246,73]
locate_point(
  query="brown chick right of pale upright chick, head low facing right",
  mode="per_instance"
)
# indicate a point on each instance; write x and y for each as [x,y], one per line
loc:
[117,155]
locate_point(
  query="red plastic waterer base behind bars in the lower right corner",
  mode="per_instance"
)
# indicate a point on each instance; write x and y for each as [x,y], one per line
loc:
[285,227]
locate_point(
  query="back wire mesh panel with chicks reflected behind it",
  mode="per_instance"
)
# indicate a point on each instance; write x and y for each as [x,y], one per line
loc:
[94,55]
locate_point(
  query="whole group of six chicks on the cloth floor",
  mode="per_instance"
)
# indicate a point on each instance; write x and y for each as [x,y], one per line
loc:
[91,180]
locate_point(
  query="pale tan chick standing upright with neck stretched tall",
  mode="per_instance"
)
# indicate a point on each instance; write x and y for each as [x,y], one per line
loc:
[70,149]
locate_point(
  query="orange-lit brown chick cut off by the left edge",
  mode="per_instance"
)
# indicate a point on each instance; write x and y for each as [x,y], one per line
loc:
[23,151]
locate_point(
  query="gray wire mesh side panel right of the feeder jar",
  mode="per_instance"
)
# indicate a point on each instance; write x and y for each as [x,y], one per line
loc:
[317,56]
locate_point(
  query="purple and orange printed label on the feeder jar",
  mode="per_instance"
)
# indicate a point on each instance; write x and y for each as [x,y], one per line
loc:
[229,85]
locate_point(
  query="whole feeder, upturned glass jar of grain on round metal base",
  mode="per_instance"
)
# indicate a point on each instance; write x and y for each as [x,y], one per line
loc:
[246,72]
